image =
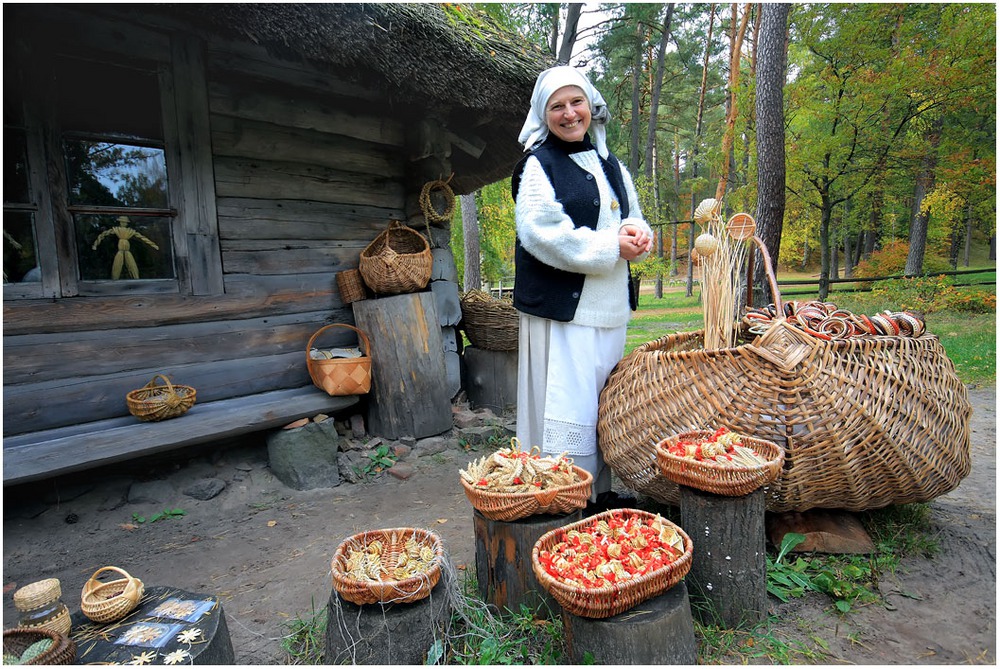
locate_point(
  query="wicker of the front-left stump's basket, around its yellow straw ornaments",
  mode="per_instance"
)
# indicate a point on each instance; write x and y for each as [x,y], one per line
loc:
[387,591]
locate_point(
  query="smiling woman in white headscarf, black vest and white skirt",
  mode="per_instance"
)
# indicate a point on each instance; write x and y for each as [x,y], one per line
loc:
[578,226]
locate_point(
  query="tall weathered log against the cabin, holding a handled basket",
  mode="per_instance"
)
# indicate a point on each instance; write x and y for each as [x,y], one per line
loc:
[409,395]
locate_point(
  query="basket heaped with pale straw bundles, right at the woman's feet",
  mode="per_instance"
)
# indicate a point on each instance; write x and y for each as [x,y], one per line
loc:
[512,483]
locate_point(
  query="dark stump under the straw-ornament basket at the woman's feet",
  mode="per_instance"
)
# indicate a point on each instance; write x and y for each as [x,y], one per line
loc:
[503,560]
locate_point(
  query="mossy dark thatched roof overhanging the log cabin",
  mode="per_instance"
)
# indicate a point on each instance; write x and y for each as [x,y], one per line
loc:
[444,58]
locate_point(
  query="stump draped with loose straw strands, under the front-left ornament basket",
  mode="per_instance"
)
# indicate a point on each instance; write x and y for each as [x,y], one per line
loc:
[386,634]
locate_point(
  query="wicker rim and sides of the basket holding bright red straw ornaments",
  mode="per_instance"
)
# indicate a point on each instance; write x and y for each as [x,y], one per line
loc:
[610,600]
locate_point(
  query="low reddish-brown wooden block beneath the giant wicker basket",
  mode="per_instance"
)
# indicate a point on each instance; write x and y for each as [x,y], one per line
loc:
[825,531]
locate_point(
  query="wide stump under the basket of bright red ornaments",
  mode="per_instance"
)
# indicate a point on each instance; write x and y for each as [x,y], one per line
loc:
[657,631]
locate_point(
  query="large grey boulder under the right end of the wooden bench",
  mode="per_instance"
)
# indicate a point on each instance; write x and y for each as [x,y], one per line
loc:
[305,459]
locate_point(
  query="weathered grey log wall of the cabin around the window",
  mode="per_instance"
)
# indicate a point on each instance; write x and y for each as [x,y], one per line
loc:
[288,174]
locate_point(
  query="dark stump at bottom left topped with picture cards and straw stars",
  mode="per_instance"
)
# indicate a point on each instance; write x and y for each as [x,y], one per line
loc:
[169,626]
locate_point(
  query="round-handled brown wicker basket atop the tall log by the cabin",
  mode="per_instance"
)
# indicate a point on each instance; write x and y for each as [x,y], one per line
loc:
[397,261]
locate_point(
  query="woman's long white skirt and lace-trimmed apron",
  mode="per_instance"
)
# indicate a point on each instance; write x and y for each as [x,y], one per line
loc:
[562,369]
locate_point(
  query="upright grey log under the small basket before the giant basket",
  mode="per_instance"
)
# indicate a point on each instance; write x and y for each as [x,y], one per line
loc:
[728,577]
